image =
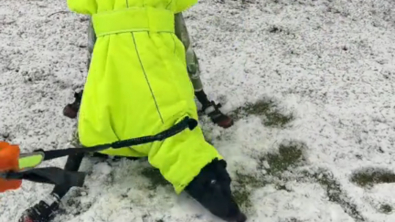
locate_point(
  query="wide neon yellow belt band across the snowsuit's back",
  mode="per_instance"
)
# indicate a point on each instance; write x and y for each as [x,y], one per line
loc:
[133,20]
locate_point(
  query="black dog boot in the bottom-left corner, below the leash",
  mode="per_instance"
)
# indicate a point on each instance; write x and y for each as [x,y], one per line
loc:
[43,211]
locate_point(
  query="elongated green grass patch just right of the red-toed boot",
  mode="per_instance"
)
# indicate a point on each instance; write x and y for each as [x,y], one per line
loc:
[266,109]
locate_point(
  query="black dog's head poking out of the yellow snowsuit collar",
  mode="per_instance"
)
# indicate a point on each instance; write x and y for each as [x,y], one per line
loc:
[211,188]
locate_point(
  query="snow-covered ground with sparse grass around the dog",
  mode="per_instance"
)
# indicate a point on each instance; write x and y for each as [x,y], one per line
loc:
[326,68]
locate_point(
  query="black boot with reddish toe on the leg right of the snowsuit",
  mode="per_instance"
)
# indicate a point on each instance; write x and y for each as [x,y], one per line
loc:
[211,109]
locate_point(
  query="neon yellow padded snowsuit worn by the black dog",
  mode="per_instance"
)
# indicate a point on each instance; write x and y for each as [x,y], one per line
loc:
[138,85]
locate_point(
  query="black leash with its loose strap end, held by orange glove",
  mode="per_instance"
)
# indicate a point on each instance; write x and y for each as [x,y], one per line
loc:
[58,176]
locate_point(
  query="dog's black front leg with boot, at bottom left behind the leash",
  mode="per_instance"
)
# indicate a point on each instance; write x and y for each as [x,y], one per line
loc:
[46,209]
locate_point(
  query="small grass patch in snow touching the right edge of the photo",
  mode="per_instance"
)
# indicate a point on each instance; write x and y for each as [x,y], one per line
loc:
[370,176]
